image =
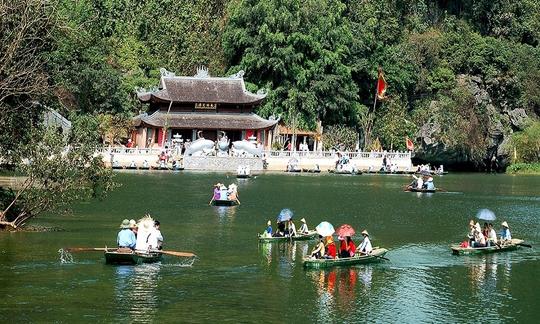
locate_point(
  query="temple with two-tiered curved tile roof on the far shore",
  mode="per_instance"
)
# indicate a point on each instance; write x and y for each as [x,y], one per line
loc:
[183,108]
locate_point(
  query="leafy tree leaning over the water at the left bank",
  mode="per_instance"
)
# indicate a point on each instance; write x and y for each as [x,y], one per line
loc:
[58,170]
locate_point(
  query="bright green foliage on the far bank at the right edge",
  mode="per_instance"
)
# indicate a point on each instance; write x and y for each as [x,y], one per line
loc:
[527,144]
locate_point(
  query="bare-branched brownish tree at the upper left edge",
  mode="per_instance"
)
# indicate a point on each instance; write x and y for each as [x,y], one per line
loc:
[25,39]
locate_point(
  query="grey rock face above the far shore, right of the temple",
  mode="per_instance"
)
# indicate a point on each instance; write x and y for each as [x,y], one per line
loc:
[502,120]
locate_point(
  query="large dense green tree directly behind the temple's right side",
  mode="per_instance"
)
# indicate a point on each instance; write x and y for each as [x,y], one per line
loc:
[297,50]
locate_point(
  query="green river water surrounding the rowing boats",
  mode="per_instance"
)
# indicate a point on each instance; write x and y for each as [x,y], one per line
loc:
[237,280]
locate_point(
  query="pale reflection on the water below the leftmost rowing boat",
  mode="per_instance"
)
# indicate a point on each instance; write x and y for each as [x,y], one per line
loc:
[135,292]
